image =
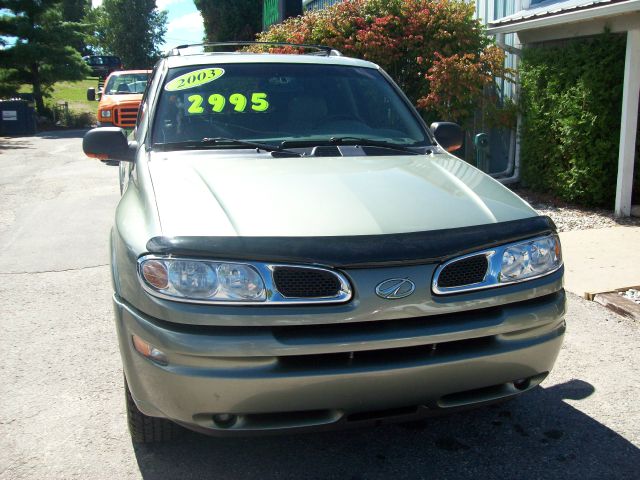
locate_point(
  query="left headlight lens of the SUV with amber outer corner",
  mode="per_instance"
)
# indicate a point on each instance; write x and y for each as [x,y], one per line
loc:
[201,280]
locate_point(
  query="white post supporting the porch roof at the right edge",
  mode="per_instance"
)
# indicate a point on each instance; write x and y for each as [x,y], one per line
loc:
[628,124]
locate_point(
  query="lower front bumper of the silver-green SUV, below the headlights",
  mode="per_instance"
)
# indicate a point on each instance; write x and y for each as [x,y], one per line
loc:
[279,378]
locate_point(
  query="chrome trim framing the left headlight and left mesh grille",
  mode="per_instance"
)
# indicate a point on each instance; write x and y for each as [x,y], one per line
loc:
[265,270]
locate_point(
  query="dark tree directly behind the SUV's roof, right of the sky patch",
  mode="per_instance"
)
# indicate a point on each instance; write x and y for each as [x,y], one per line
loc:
[228,20]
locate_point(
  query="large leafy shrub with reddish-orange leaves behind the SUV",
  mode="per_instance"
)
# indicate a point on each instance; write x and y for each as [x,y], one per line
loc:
[434,49]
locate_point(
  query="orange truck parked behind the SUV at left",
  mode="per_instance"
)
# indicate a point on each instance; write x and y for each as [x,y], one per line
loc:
[120,98]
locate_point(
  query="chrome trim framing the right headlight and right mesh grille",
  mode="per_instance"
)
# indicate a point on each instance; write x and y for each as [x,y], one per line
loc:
[492,277]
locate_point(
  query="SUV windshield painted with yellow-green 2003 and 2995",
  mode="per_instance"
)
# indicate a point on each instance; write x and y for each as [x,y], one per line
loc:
[274,102]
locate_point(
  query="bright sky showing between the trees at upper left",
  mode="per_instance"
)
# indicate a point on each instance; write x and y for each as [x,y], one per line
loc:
[184,23]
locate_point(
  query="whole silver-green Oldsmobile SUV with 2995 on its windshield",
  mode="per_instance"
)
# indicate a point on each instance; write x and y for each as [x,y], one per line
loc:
[295,248]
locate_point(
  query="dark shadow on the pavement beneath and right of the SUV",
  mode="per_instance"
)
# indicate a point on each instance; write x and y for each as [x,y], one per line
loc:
[537,435]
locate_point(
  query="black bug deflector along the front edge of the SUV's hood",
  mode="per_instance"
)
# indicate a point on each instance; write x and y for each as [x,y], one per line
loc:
[357,251]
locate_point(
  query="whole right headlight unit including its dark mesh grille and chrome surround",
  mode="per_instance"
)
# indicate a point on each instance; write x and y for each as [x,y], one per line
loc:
[498,266]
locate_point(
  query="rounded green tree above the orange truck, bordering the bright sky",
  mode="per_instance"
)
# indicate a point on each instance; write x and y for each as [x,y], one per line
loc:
[130,29]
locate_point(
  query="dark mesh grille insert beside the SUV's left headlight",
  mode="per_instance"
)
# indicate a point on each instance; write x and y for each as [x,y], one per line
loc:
[305,282]
